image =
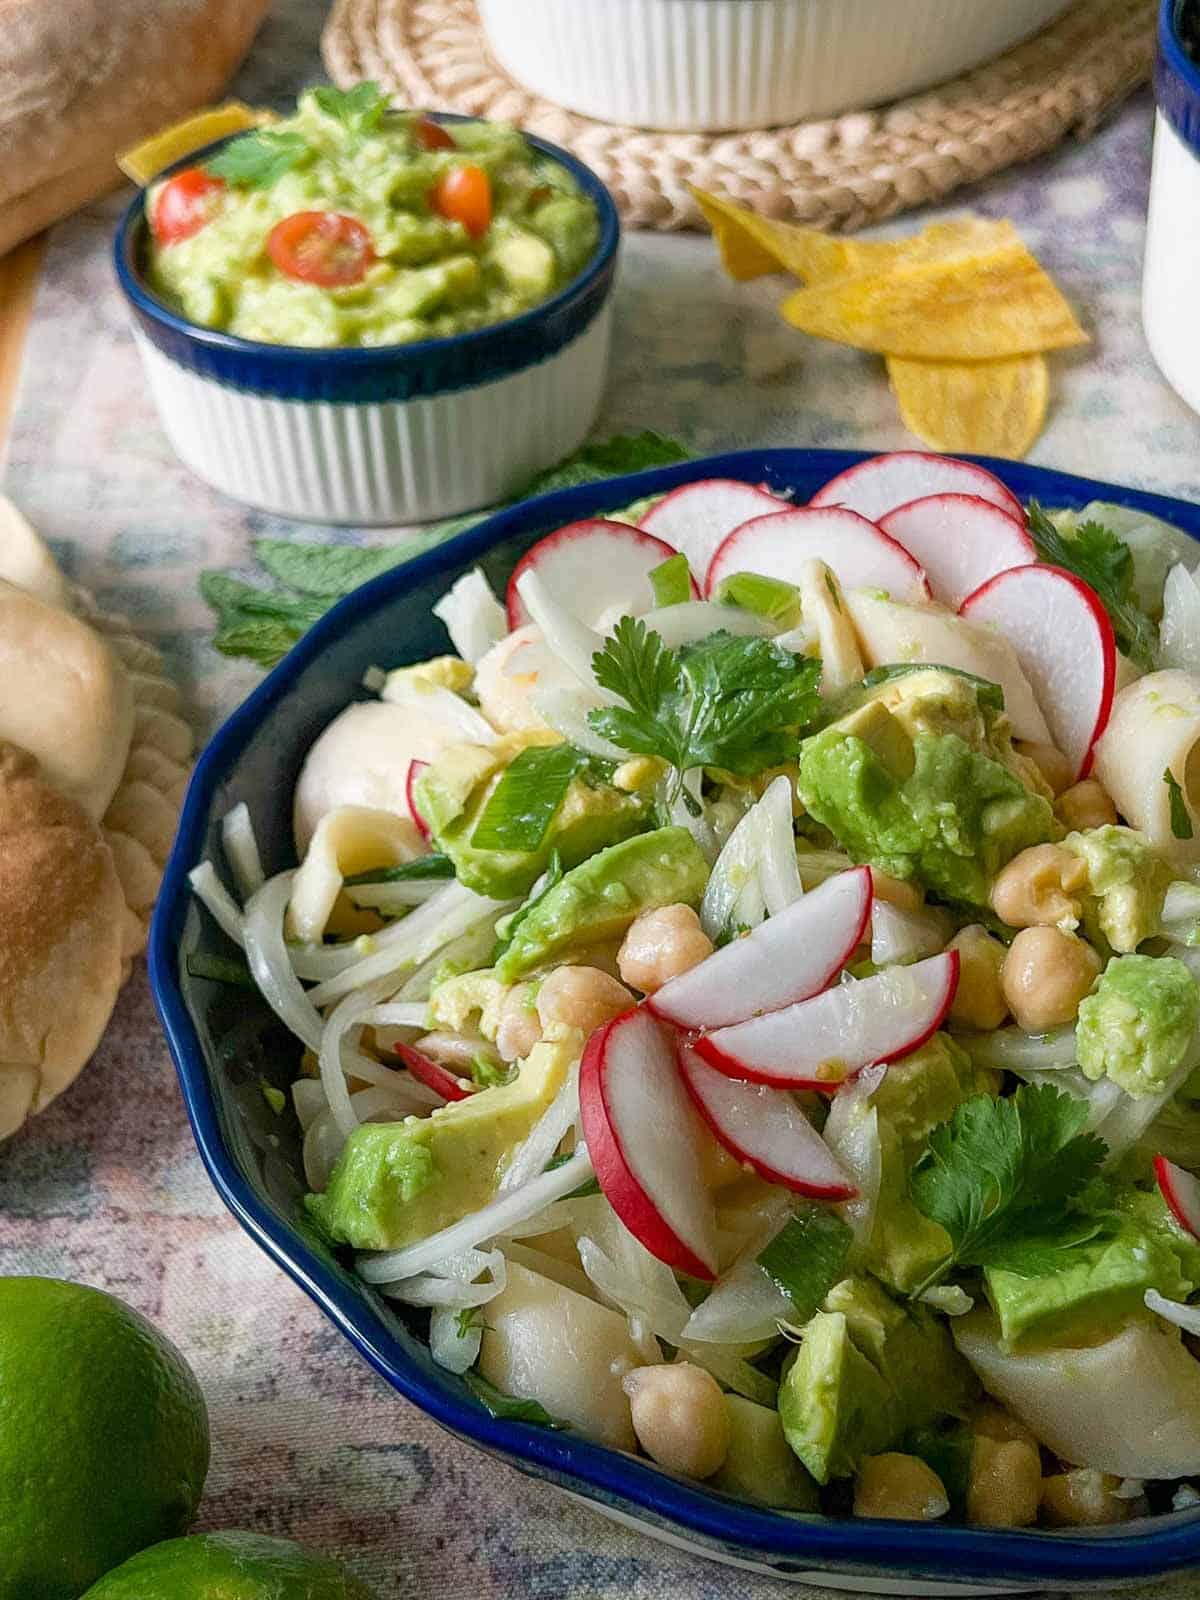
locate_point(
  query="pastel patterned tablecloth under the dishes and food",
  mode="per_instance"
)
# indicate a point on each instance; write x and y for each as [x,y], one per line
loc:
[106,1188]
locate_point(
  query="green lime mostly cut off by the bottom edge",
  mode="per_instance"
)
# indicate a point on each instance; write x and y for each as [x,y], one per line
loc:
[230,1567]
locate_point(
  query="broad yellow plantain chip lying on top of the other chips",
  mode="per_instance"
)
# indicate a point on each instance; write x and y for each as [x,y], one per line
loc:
[959,308]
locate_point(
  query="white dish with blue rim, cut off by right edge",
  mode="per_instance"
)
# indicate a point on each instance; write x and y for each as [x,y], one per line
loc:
[1172,271]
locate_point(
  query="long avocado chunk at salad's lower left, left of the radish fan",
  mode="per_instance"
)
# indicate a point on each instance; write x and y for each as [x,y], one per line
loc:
[401,1182]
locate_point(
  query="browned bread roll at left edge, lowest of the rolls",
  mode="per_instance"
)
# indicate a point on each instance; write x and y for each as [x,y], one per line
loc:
[62,911]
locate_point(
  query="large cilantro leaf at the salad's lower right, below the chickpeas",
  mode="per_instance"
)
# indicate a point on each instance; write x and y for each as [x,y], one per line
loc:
[1006,1177]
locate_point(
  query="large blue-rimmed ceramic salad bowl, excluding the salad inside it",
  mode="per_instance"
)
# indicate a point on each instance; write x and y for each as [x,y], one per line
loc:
[254,1158]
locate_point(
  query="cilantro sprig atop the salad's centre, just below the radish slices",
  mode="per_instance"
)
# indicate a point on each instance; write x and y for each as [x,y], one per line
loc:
[726,702]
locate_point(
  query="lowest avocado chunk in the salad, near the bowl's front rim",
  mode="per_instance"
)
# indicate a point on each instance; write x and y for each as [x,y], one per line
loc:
[870,1370]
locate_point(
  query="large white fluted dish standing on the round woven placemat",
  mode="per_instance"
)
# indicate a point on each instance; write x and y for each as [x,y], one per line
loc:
[726,65]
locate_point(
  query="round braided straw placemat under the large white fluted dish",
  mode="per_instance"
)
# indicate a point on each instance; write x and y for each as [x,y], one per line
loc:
[841,174]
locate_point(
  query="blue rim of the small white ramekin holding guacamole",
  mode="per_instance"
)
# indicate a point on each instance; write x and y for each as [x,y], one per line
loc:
[388,372]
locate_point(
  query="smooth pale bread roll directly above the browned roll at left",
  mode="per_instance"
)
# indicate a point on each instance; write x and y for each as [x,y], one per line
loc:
[65,697]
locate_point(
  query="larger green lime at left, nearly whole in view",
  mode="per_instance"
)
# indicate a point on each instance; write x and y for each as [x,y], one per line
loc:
[103,1438]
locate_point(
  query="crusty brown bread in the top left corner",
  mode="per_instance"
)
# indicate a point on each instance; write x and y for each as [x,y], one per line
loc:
[84,79]
